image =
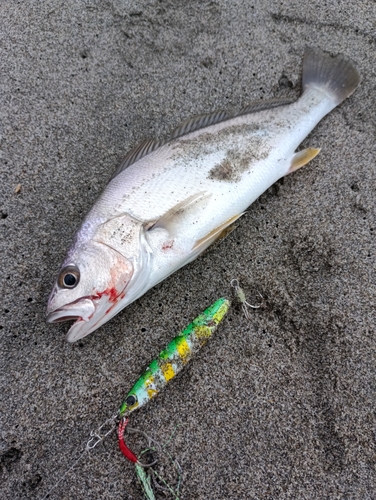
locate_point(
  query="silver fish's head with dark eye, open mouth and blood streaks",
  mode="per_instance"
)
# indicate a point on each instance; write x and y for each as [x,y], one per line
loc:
[89,288]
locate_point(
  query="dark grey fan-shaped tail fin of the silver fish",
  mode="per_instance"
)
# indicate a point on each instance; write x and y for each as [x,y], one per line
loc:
[337,76]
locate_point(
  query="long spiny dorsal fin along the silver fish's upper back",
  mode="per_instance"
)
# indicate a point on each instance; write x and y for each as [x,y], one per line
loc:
[191,125]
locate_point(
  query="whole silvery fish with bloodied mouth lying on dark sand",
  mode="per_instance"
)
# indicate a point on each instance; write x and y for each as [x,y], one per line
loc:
[169,200]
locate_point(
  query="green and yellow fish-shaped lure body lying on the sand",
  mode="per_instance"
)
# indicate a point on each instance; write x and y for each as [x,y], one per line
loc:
[174,357]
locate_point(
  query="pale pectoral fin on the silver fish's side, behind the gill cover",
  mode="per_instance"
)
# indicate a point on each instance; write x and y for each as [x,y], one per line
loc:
[172,219]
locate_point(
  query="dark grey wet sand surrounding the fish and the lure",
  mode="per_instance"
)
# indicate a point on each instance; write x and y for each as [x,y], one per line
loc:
[278,407]
